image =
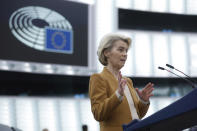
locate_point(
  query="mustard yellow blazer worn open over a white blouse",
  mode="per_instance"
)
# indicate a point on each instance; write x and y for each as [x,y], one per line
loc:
[106,107]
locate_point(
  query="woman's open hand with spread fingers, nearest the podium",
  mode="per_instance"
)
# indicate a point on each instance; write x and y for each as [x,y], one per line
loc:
[146,92]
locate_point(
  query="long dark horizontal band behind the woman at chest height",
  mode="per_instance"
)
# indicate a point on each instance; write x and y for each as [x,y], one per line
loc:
[28,84]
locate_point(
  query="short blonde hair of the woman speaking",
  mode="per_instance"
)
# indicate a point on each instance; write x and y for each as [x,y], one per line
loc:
[107,43]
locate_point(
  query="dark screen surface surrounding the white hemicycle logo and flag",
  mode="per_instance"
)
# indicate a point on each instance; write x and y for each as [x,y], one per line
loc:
[75,13]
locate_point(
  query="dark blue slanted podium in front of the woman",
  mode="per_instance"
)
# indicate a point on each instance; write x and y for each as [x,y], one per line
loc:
[181,114]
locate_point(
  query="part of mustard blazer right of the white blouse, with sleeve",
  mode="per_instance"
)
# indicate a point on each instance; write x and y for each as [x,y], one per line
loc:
[142,108]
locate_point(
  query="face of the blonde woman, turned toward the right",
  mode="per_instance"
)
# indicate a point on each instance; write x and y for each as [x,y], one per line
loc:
[117,56]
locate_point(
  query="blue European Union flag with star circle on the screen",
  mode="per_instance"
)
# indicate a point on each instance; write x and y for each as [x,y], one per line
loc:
[59,40]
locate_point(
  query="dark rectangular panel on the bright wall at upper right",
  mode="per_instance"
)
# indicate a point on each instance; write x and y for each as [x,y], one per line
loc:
[155,21]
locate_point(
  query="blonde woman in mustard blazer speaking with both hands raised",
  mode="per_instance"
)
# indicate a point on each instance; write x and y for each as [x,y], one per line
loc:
[114,100]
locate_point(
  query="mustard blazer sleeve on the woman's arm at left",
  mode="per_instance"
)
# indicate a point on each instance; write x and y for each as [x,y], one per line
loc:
[101,104]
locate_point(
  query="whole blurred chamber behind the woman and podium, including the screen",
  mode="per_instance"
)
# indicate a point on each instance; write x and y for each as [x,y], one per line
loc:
[48,52]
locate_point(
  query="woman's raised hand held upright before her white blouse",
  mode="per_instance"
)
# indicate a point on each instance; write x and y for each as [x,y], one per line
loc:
[121,84]
